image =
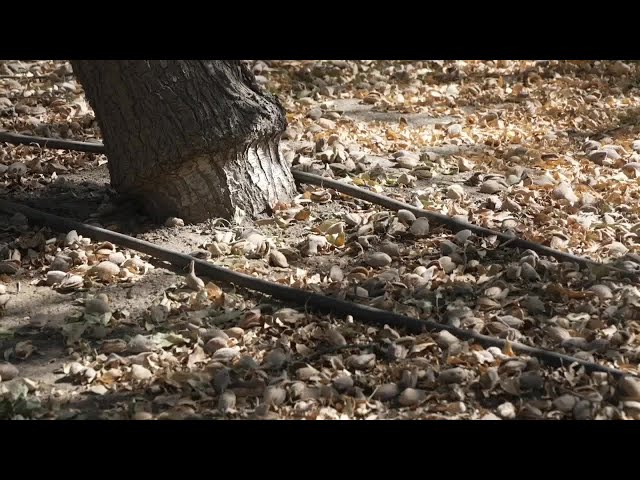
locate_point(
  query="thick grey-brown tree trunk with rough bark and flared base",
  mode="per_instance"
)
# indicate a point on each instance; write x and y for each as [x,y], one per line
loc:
[193,139]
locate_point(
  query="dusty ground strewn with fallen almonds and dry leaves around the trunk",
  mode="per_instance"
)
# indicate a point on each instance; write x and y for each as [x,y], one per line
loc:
[544,149]
